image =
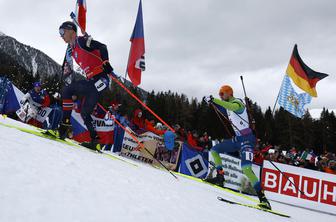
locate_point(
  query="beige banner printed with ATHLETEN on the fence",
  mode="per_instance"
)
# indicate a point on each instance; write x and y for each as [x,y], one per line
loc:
[155,145]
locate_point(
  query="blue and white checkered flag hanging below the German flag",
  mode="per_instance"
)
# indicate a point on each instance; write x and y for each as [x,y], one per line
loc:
[292,101]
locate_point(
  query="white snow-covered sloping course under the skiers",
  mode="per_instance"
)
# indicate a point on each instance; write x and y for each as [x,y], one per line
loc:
[44,180]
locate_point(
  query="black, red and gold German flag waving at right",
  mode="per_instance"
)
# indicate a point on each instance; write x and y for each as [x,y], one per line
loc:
[303,76]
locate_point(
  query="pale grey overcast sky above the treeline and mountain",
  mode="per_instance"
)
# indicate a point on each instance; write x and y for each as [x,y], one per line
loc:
[195,46]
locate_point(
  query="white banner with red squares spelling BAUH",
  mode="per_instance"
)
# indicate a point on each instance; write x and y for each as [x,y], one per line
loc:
[318,188]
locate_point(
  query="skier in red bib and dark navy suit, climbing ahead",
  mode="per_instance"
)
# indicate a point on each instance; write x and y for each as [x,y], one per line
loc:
[92,57]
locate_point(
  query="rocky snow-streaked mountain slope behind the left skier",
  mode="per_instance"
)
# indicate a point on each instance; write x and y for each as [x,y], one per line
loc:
[32,60]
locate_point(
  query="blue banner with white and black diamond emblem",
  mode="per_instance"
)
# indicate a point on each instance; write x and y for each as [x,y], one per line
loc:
[193,162]
